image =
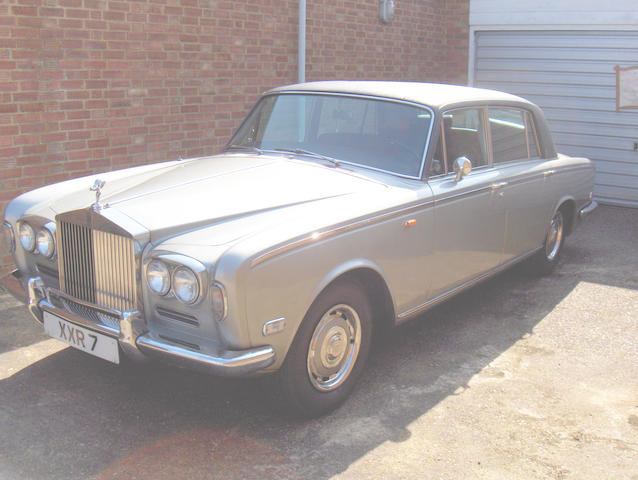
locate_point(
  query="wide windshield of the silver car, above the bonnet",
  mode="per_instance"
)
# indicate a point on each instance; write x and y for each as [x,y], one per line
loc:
[383,135]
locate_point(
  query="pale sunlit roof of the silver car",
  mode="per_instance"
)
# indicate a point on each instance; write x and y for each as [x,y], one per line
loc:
[432,94]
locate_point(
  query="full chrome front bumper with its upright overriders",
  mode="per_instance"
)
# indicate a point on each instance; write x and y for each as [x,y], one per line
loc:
[129,328]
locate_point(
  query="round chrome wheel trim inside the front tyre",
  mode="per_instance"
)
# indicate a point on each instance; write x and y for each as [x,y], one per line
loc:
[334,347]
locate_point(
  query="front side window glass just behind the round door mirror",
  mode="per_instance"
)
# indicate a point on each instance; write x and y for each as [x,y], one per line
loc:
[464,136]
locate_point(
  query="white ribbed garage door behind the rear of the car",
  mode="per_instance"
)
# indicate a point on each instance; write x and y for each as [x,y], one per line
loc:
[571,75]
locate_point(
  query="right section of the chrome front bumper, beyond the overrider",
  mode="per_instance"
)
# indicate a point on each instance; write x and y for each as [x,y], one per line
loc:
[225,363]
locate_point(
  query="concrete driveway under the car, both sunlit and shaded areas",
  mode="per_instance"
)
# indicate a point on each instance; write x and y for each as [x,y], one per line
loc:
[519,378]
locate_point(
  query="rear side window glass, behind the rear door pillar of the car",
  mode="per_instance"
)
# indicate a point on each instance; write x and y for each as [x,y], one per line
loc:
[510,135]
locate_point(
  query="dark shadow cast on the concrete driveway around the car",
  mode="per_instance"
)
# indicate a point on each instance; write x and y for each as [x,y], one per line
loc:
[73,416]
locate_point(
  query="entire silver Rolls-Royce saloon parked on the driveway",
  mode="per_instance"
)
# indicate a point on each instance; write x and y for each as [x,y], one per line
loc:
[337,209]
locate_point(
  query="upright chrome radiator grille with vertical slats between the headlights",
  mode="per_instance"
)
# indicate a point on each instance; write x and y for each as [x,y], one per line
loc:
[97,266]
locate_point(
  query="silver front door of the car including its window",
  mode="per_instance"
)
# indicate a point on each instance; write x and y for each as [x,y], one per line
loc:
[469,213]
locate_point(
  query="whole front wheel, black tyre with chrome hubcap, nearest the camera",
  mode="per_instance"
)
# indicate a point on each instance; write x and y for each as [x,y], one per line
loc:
[328,353]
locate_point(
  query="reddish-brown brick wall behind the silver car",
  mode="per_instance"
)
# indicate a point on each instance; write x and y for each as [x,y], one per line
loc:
[95,85]
